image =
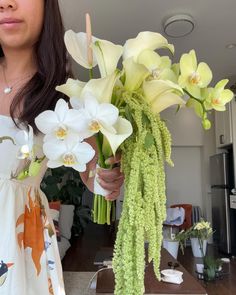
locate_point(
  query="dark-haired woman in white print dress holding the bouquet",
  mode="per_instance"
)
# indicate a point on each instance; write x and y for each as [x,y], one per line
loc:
[33,63]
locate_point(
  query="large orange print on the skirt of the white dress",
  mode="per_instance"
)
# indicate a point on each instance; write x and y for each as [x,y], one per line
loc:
[32,236]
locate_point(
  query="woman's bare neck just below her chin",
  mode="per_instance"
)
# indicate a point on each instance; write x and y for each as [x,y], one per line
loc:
[17,63]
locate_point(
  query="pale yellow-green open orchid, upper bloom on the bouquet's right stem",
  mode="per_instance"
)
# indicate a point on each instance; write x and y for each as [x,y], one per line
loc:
[193,76]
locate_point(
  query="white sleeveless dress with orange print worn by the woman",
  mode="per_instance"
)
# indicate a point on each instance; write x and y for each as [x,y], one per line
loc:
[29,257]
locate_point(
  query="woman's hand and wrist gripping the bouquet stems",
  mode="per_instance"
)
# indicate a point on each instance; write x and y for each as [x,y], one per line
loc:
[111,180]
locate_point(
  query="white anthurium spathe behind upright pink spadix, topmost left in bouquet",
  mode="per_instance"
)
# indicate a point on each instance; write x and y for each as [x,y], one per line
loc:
[76,45]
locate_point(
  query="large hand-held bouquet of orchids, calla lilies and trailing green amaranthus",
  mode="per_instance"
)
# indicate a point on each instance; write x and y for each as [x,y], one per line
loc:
[122,109]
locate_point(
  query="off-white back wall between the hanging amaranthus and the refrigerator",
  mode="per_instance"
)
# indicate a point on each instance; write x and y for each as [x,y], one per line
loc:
[188,181]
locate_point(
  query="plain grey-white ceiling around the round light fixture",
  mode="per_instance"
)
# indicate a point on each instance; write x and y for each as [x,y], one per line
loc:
[119,20]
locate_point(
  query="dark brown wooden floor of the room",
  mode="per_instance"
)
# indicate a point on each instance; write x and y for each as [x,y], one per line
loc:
[80,257]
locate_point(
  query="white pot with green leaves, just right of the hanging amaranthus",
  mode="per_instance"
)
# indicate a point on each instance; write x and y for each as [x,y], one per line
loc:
[175,240]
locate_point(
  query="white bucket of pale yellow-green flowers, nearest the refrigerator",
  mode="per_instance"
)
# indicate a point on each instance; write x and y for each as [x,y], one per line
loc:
[199,233]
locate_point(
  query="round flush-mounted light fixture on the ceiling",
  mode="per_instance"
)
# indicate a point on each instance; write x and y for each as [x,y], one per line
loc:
[179,25]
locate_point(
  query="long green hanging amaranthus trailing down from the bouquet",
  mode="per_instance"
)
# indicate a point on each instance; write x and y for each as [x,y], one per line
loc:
[144,207]
